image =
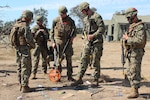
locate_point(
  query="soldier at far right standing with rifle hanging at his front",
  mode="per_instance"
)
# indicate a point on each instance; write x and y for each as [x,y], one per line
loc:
[135,41]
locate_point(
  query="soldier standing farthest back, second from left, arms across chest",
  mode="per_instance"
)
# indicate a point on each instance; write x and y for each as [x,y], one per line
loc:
[41,36]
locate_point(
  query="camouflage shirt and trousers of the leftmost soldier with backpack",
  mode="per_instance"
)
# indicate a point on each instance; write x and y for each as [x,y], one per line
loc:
[23,56]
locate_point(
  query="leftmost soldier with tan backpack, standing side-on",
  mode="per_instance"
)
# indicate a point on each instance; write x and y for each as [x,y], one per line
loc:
[24,43]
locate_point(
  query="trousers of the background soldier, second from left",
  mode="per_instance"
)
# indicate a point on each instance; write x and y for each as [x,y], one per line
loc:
[36,58]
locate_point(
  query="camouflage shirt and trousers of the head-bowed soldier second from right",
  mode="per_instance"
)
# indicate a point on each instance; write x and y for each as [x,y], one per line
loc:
[97,29]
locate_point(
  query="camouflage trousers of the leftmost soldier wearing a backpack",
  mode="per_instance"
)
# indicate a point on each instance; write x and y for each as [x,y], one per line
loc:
[23,59]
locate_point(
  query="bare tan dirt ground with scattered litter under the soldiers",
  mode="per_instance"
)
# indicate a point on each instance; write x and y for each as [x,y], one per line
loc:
[112,86]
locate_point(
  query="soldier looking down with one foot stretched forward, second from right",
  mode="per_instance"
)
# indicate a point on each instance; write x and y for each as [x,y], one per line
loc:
[94,28]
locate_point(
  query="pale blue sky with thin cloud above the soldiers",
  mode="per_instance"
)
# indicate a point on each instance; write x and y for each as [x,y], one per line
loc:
[106,8]
